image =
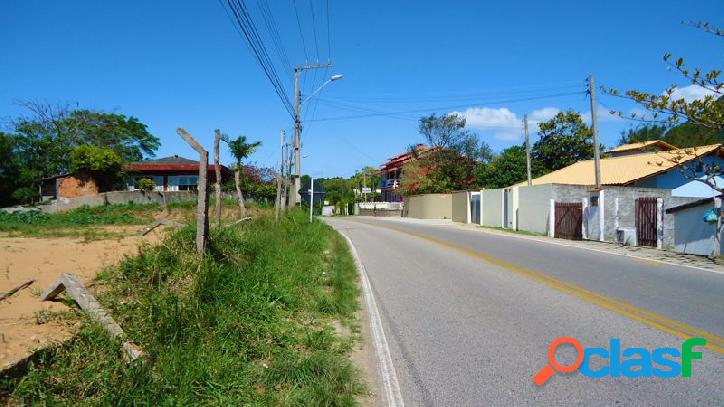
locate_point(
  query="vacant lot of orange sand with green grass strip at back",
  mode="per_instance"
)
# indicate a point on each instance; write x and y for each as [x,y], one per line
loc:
[40,247]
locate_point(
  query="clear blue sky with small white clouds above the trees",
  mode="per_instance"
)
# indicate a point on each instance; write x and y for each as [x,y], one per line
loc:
[183,64]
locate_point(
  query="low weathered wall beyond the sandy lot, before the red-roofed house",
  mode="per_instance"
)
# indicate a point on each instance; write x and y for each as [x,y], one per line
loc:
[116,197]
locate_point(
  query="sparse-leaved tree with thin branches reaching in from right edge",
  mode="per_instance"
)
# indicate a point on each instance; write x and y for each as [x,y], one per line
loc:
[670,109]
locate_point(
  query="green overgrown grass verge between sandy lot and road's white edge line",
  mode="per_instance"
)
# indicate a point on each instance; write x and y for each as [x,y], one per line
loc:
[250,323]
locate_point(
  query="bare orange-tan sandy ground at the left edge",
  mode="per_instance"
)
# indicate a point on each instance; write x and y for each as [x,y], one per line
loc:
[44,259]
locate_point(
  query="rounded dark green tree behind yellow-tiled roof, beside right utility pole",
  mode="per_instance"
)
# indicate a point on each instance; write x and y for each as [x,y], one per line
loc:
[564,140]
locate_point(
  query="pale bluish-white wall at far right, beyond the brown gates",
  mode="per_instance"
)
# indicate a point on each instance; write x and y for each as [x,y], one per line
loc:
[693,235]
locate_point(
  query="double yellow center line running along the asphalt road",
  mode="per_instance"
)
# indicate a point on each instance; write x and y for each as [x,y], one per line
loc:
[678,329]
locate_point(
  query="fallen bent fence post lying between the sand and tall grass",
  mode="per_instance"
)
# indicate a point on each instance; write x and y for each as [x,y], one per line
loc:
[87,302]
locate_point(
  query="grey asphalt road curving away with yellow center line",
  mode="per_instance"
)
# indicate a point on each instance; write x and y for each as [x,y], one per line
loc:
[469,316]
